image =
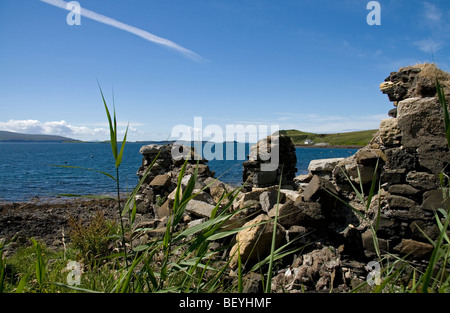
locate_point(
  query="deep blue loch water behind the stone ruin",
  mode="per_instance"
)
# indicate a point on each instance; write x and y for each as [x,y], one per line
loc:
[26,169]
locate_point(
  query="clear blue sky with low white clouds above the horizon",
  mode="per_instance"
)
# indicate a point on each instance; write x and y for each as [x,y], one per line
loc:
[308,65]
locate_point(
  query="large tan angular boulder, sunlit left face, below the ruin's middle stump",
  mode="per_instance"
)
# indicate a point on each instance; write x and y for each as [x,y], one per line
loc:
[254,243]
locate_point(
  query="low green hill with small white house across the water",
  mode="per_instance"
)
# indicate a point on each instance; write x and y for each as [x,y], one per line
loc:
[357,138]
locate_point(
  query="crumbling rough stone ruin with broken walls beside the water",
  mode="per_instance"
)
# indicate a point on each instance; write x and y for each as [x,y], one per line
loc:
[405,157]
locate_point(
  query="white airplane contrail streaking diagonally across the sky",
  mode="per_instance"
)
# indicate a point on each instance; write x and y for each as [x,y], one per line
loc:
[128,28]
